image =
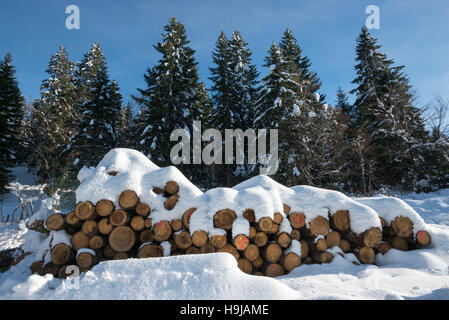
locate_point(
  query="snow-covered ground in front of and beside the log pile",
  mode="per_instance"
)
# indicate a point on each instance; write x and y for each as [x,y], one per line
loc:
[419,274]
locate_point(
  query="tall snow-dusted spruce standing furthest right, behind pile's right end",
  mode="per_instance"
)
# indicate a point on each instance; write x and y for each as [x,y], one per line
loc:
[394,127]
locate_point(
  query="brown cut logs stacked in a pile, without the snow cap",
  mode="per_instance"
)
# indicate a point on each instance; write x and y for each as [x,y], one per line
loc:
[102,232]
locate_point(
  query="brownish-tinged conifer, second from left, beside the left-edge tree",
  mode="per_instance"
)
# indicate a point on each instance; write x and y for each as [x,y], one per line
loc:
[54,120]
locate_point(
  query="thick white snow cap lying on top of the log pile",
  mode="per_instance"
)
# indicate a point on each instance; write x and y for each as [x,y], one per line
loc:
[123,169]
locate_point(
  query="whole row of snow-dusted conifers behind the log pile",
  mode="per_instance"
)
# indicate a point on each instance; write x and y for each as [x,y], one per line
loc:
[382,140]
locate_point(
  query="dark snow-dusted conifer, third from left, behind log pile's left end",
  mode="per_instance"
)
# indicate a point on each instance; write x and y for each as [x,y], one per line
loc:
[99,105]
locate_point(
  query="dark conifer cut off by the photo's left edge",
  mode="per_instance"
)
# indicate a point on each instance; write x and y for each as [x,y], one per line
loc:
[11,115]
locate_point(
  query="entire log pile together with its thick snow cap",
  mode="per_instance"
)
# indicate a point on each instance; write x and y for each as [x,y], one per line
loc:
[127,207]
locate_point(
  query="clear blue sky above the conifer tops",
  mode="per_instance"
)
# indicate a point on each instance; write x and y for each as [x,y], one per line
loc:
[412,32]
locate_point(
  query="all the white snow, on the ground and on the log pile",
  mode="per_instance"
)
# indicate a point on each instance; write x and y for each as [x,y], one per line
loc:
[417,274]
